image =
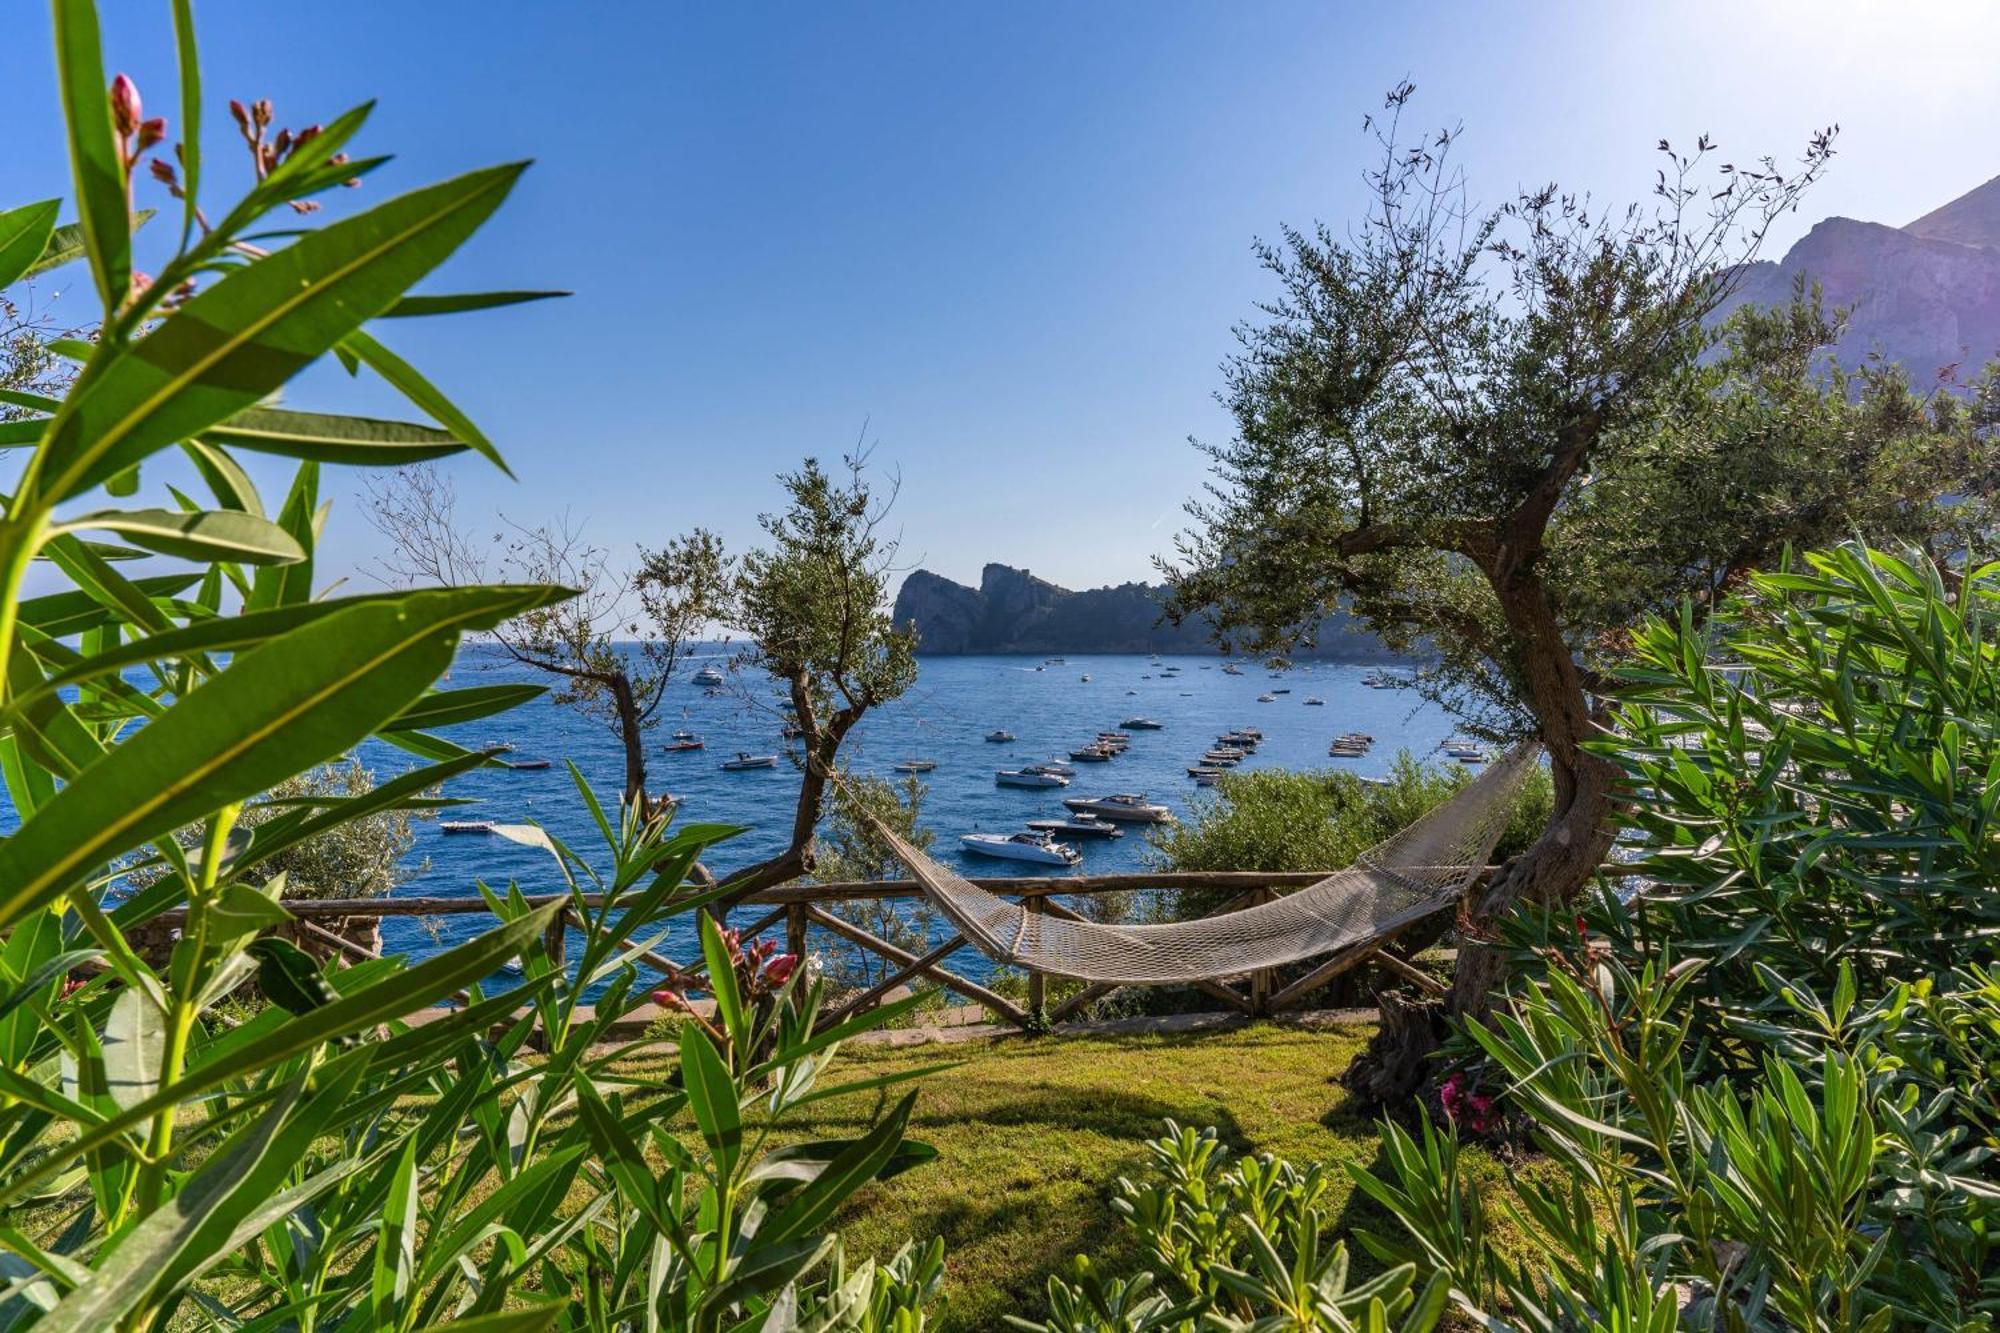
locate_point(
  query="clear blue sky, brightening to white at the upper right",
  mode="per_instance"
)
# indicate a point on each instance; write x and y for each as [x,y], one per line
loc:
[1009,237]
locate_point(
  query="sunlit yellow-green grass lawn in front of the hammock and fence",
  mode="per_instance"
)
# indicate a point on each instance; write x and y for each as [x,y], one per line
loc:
[1033,1134]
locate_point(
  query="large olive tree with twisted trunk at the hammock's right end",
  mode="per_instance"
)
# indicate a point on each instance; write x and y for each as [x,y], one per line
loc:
[1505,435]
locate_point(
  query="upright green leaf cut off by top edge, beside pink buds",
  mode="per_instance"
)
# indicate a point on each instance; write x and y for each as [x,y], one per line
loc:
[101,193]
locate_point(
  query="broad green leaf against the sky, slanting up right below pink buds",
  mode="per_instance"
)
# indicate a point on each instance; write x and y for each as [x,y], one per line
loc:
[259,327]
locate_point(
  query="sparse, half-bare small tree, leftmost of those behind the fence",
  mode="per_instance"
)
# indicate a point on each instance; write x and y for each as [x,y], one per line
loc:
[615,645]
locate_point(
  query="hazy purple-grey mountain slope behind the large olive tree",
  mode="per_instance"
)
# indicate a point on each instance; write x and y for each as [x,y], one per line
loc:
[1923,295]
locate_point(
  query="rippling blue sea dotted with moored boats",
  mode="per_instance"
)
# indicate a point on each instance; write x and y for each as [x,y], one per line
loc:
[945,718]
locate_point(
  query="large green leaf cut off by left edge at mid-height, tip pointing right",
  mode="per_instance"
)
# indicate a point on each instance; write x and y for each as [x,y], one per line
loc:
[279,710]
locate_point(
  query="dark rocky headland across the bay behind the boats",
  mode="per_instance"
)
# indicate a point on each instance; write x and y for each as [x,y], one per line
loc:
[1013,611]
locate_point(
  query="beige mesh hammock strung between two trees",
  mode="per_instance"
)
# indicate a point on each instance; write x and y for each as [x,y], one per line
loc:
[1403,880]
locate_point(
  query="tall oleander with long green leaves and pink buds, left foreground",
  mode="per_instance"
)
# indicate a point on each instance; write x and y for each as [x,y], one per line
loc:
[329,1162]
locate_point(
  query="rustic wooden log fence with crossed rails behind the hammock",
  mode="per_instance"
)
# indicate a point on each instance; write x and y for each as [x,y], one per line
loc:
[801,908]
